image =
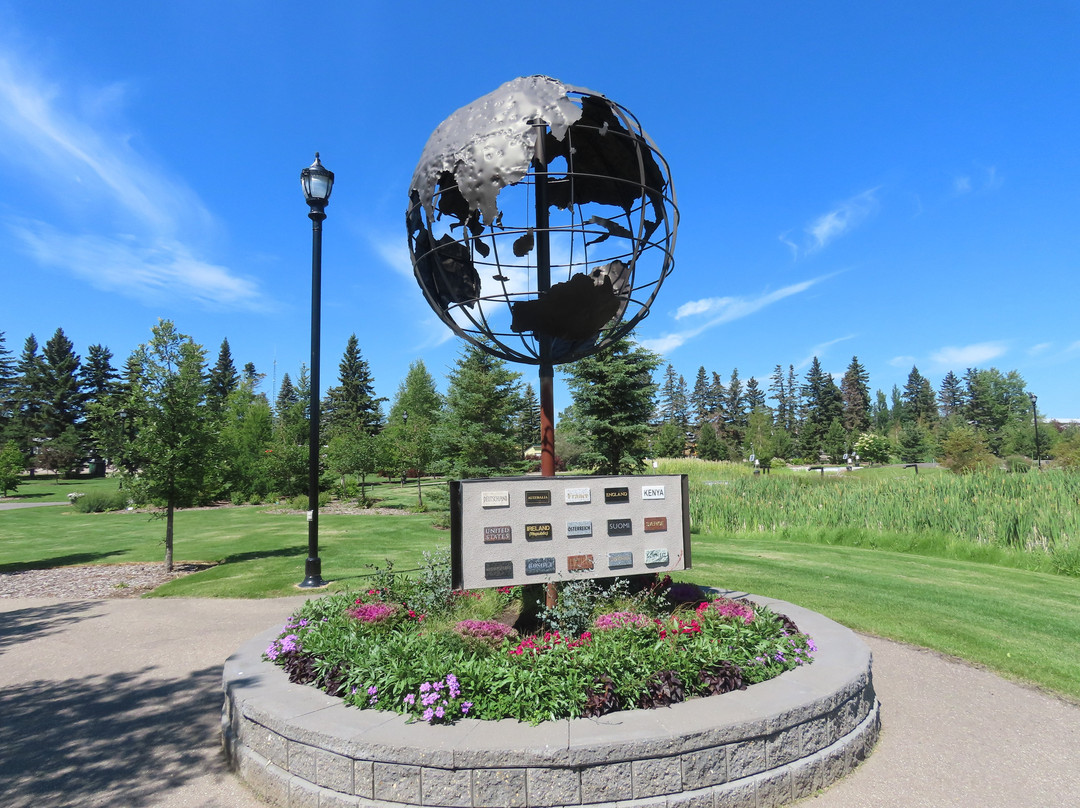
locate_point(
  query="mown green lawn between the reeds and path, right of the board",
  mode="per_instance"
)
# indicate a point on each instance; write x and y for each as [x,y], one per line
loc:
[1023,625]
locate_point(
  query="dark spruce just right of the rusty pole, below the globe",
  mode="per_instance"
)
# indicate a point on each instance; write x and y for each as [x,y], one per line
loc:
[614,399]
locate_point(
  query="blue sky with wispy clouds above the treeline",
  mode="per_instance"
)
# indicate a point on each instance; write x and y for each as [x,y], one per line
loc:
[900,184]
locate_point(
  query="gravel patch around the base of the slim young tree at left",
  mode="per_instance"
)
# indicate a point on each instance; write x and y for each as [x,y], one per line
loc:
[92,583]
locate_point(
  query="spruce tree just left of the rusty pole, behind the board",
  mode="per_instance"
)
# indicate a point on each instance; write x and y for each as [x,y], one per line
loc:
[477,432]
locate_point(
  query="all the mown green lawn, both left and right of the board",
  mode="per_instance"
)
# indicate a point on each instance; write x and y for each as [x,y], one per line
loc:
[1022,624]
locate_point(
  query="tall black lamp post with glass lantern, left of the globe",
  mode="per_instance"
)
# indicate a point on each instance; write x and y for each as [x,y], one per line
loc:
[318,184]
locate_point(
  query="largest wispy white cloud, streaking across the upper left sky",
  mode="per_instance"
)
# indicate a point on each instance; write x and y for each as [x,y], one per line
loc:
[73,143]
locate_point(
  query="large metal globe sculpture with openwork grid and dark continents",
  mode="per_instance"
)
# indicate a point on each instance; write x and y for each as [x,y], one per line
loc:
[542,222]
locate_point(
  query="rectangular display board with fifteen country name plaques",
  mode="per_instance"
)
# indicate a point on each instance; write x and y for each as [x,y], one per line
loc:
[515,531]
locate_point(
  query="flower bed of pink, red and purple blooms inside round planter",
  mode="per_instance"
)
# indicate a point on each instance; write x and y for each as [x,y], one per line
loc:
[622,648]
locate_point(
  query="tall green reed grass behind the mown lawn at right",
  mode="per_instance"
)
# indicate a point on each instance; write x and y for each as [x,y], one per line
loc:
[1036,514]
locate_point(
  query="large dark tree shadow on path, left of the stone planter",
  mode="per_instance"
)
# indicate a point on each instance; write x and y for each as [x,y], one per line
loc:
[118,739]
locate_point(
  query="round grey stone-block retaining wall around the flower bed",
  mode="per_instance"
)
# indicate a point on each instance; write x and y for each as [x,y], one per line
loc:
[764,747]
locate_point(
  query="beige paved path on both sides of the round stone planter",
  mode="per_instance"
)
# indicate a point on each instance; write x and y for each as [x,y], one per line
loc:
[118,704]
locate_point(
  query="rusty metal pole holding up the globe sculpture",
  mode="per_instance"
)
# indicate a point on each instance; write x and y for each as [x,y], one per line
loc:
[544,286]
